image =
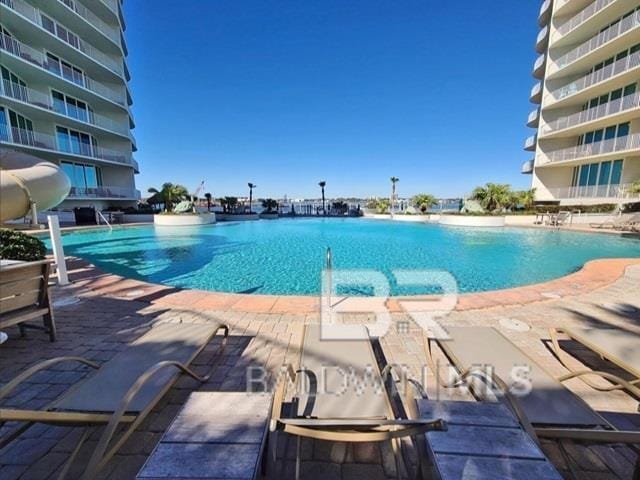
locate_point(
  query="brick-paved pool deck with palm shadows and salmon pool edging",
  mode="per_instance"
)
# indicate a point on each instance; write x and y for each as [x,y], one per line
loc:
[99,314]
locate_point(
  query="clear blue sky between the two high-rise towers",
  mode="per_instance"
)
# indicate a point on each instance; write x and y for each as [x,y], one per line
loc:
[287,93]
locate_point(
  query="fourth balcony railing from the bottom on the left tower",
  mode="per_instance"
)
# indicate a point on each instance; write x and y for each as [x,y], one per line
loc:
[19,49]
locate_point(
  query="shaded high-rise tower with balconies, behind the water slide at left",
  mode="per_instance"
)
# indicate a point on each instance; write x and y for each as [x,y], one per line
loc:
[64,95]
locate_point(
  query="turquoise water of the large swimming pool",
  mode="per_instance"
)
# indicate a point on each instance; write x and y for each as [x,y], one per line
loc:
[286,256]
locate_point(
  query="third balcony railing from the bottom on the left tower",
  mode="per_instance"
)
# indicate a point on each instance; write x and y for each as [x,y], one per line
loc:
[39,99]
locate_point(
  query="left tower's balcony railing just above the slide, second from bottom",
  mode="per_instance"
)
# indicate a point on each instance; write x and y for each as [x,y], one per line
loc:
[35,139]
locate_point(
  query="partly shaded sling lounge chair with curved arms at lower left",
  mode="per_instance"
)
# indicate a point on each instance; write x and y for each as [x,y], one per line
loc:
[121,392]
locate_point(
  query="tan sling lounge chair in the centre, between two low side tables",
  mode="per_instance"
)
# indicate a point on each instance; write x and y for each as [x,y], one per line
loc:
[324,407]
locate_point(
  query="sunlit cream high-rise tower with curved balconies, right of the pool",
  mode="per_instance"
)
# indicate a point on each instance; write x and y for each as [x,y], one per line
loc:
[587,116]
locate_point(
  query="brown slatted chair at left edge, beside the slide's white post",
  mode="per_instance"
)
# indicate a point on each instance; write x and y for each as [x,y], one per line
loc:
[24,296]
